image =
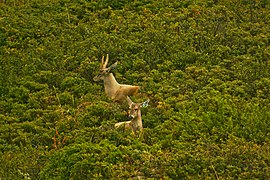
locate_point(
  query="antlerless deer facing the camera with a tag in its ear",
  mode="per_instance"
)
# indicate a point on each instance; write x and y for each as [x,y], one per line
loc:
[135,124]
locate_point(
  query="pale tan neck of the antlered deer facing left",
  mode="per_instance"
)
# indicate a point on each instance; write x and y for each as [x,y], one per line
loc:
[111,85]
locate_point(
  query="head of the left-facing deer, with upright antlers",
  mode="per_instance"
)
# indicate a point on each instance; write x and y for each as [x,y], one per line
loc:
[103,70]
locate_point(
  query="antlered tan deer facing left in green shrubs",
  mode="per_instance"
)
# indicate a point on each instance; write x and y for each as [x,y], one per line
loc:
[118,92]
